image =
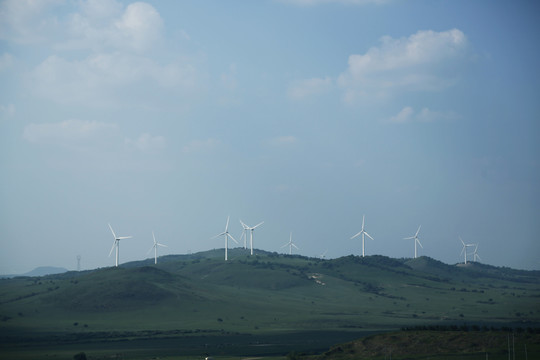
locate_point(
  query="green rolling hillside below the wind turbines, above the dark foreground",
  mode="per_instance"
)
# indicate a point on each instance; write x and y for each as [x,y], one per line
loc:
[268,293]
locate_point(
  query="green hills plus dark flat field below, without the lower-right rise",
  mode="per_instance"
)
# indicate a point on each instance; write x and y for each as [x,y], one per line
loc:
[286,302]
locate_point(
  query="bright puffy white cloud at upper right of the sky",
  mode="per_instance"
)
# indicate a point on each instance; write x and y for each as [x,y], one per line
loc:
[416,63]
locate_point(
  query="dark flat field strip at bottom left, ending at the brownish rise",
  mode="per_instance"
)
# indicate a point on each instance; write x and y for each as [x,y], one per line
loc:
[170,345]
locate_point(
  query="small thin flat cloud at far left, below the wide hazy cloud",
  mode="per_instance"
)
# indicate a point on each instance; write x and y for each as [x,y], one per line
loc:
[69,132]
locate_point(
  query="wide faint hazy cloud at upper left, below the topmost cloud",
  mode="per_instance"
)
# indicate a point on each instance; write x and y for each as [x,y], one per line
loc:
[100,78]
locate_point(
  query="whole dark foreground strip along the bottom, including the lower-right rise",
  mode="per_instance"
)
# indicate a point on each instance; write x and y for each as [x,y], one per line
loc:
[315,345]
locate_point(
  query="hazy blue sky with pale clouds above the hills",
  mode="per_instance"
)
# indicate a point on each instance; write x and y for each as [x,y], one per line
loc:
[170,116]
